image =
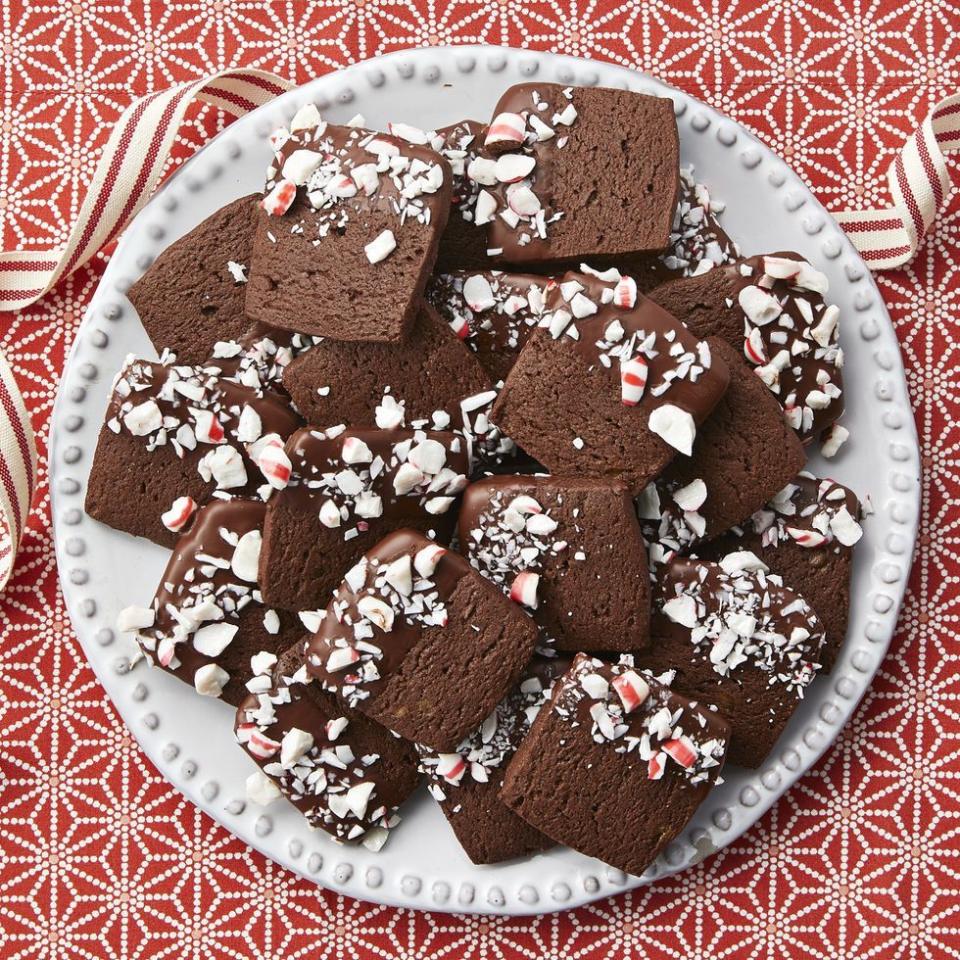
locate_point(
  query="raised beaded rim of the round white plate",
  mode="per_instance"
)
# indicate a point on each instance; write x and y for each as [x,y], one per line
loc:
[564,878]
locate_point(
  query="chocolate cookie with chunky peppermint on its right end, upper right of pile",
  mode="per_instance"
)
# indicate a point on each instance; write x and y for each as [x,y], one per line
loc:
[772,309]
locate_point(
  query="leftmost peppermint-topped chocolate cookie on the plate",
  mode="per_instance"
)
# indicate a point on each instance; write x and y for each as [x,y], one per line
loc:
[173,435]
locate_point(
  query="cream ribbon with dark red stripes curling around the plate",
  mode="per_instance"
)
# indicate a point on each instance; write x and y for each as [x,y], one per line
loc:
[136,154]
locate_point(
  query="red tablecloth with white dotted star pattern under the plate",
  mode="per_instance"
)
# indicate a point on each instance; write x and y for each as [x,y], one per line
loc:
[100,858]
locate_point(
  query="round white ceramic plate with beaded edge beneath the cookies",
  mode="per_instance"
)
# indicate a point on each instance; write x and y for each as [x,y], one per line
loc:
[190,738]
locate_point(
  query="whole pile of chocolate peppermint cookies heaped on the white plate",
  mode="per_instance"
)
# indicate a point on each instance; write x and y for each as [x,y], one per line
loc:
[480,452]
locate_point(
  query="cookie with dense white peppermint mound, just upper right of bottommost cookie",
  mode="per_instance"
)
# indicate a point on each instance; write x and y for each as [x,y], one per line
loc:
[738,639]
